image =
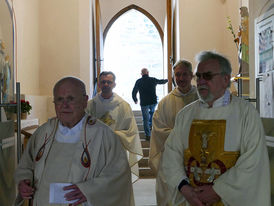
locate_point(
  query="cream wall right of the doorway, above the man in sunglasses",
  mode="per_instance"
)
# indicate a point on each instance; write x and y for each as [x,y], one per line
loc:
[203,27]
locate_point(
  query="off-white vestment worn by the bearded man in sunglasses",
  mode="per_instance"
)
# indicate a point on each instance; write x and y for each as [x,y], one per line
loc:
[247,183]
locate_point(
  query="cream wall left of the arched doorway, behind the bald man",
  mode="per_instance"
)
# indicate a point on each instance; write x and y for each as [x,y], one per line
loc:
[53,40]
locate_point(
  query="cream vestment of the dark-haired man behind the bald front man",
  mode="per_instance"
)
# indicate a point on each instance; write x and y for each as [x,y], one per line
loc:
[117,113]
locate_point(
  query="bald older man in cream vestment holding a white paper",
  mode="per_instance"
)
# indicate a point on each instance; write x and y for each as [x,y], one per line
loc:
[73,159]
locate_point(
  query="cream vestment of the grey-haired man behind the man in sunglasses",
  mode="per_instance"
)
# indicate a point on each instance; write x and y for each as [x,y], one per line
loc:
[163,123]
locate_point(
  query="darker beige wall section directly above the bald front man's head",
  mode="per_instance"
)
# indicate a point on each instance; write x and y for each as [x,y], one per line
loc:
[59,42]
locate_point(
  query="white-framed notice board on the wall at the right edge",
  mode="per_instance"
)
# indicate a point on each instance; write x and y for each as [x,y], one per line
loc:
[264,62]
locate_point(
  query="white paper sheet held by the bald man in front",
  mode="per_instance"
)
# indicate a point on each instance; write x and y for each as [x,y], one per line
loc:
[56,193]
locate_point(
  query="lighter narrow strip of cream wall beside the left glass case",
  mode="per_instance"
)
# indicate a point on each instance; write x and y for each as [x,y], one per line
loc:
[28,45]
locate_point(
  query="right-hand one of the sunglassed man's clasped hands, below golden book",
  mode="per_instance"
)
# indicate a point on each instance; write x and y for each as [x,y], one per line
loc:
[207,195]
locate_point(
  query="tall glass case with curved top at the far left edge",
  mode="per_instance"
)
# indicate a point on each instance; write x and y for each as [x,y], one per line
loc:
[9,150]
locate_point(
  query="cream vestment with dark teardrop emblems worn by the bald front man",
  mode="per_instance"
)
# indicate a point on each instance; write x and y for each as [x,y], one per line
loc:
[96,163]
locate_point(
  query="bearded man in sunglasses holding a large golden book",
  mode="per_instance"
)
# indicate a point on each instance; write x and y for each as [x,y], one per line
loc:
[216,154]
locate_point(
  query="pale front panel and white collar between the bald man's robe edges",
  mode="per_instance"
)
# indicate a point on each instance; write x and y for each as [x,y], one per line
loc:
[58,164]
